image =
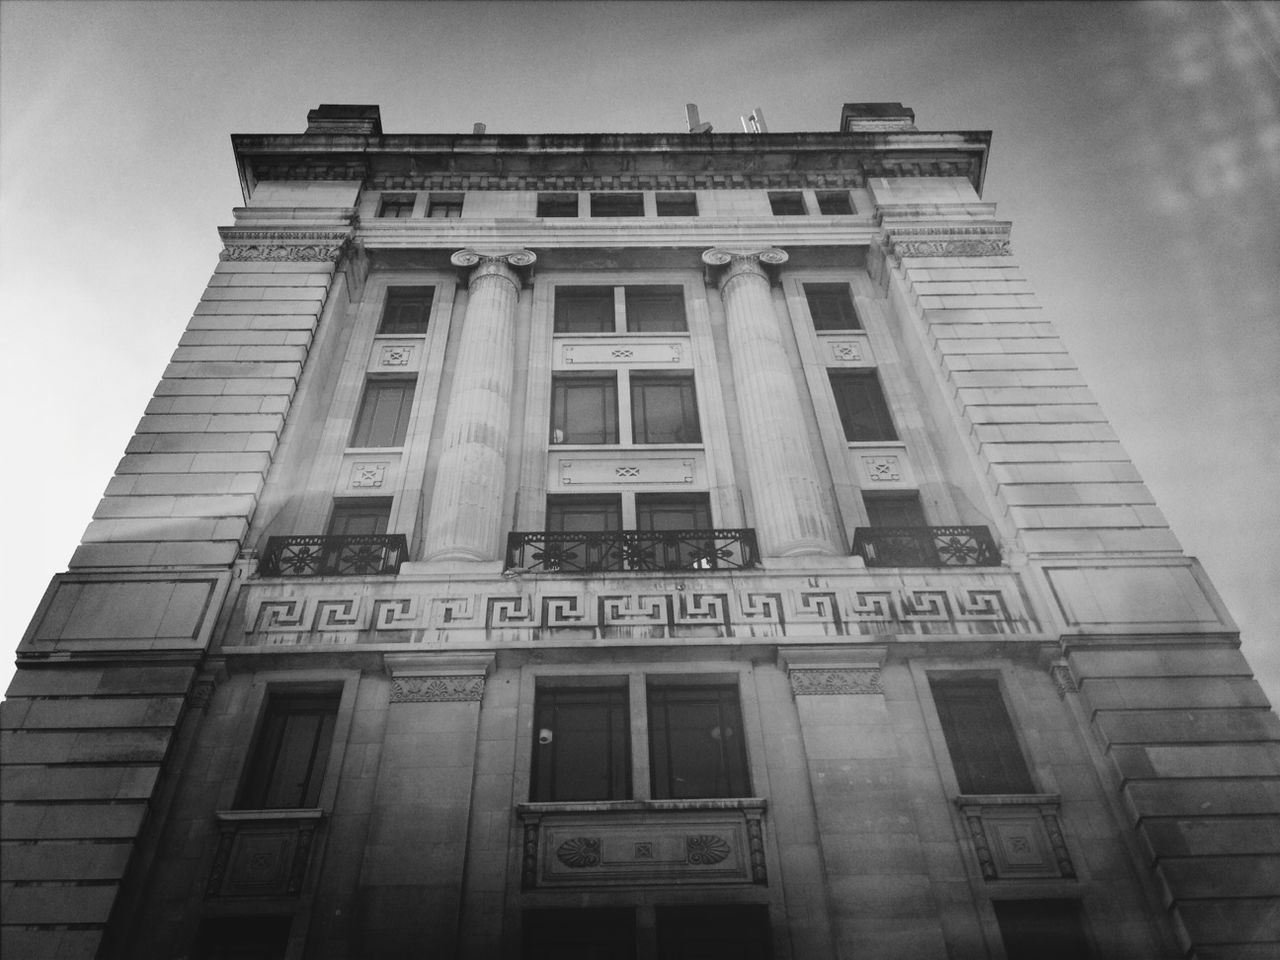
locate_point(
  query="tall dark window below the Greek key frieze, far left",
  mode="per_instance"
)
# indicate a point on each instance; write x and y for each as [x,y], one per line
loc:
[287,766]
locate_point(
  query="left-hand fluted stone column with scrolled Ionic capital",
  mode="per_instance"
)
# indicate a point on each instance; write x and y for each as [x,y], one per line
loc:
[470,484]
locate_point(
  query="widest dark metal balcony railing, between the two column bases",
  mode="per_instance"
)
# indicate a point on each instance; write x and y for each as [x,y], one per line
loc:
[632,550]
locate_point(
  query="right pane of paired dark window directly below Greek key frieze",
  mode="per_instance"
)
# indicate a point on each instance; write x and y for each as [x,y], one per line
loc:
[697,748]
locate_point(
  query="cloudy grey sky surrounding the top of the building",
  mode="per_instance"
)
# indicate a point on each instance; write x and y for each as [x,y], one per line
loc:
[1136,150]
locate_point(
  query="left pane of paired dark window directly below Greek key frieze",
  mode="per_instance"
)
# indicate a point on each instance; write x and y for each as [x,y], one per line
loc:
[582,744]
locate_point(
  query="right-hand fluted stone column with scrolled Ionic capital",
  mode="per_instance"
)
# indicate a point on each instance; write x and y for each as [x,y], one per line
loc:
[790,519]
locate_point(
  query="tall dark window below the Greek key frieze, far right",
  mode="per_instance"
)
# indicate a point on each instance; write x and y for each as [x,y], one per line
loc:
[980,735]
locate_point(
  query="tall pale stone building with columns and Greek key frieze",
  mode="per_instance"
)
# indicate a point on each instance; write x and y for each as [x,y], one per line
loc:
[630,546]
